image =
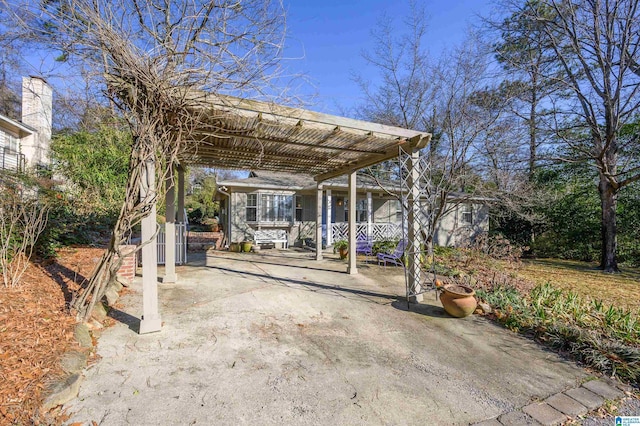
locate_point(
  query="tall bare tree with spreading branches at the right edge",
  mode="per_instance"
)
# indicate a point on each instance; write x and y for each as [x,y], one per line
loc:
[596,45]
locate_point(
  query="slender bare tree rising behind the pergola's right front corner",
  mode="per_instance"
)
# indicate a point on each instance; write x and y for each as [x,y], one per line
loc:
[444,97]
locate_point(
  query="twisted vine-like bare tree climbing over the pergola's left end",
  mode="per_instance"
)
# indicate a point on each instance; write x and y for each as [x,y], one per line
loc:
[153,59]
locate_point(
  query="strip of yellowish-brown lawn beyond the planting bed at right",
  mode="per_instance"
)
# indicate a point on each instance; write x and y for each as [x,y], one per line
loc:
[621,290]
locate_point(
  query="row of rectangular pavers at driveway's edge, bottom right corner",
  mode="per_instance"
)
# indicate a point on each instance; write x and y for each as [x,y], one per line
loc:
[563,406]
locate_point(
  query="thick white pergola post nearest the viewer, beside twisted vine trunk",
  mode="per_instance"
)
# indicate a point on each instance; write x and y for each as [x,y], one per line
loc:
[150,320]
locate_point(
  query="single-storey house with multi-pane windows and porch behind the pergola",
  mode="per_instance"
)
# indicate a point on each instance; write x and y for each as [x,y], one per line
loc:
[267,200]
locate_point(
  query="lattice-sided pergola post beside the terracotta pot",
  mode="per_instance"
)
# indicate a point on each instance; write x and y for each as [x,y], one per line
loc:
[414,245]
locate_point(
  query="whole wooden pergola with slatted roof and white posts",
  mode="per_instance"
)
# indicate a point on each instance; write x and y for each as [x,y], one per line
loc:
[245,134]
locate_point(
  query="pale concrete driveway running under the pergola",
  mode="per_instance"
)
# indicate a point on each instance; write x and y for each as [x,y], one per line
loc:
[278,338]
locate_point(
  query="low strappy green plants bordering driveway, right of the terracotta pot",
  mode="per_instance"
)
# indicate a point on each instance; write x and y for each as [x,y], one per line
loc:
[606,338]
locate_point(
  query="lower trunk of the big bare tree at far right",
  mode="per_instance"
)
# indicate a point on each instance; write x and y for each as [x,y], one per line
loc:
[608,201]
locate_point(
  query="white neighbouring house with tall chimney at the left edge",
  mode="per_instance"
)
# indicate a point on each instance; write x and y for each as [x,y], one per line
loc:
[26,143]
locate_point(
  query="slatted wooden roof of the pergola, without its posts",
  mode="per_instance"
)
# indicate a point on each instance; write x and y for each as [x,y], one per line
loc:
[239,133]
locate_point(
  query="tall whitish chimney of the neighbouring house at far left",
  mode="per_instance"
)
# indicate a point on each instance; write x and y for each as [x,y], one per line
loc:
[36,113]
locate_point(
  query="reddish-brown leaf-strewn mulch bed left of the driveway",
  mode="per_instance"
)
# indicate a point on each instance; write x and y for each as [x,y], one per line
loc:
[36,329]
